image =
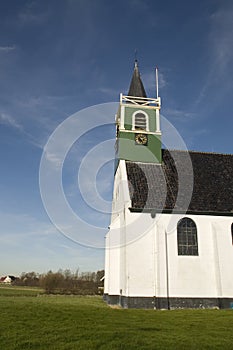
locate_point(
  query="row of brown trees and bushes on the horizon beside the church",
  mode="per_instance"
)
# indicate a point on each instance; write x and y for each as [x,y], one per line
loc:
[64,282]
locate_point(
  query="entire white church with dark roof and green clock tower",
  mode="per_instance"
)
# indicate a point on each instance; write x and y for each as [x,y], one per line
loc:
[170,241]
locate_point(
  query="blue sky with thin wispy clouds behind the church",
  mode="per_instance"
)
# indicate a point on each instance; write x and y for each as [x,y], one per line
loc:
[60,57]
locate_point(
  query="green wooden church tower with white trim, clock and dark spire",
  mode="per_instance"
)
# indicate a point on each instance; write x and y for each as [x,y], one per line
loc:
[138,136]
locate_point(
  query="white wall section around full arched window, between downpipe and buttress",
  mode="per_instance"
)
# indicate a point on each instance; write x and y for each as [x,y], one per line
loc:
[191,276]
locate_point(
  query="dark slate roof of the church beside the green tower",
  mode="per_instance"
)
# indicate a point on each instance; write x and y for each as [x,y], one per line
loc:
[185,181]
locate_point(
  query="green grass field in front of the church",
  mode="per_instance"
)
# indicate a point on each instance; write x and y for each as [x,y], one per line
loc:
[31,320]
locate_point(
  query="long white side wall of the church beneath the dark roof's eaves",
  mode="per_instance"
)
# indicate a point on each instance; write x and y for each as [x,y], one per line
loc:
[154,268]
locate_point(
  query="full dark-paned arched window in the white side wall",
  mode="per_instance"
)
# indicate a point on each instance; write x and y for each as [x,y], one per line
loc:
[187,237]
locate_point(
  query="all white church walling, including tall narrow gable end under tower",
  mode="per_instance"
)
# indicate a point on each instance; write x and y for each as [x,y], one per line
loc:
[139,264]
